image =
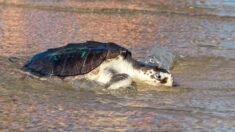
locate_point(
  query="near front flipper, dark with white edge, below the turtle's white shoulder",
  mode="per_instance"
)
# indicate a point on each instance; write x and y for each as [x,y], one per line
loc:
[118,81]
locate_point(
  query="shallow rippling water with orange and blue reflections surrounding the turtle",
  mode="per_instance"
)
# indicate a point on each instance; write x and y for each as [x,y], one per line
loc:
[196,32]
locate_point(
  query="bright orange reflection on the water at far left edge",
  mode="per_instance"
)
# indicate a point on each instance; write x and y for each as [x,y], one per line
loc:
[12,26]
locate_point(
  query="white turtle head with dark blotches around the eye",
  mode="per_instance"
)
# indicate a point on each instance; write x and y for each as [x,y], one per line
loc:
[158,76]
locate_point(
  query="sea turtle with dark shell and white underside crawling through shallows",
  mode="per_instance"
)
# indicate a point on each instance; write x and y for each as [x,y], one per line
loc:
[108,64]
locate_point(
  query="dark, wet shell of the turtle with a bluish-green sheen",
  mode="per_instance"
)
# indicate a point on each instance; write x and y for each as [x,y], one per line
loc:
[74,59]
